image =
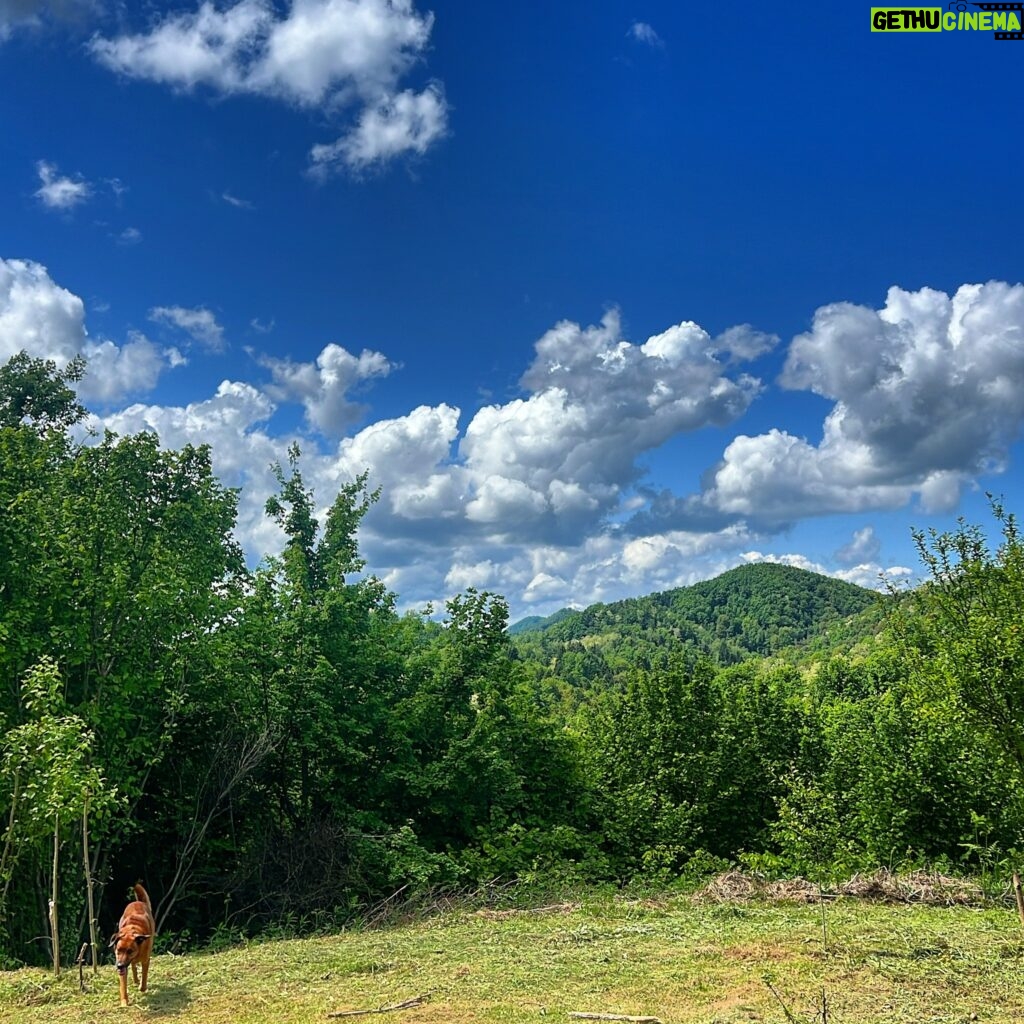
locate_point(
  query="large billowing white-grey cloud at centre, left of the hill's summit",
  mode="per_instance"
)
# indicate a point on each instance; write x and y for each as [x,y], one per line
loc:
[560,460]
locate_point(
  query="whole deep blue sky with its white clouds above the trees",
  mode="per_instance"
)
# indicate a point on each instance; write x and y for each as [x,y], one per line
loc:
[608,297]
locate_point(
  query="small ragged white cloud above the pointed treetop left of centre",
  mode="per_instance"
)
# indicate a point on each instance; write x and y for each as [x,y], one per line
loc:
[323,388]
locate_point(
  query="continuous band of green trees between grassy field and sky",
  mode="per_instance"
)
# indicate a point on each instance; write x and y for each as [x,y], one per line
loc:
[269,746]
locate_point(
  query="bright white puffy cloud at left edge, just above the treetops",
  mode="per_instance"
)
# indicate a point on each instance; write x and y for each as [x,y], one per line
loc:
[49,322]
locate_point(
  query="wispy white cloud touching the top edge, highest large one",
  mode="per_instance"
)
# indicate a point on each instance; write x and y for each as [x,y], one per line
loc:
[320,55]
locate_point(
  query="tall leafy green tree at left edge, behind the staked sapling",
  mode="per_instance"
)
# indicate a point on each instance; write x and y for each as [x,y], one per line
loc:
[116,563]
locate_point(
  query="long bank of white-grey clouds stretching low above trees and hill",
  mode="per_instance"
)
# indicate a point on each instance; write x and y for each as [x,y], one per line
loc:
[542,497]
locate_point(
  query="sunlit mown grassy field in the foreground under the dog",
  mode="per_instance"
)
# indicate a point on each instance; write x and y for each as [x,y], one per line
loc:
[677,959]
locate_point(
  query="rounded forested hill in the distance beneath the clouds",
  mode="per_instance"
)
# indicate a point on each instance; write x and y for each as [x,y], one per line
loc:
[753,611]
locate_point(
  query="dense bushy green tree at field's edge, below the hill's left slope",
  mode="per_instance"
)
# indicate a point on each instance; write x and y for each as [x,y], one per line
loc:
[694,761]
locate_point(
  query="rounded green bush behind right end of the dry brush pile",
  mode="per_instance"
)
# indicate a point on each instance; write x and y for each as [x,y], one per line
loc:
[889,781]
